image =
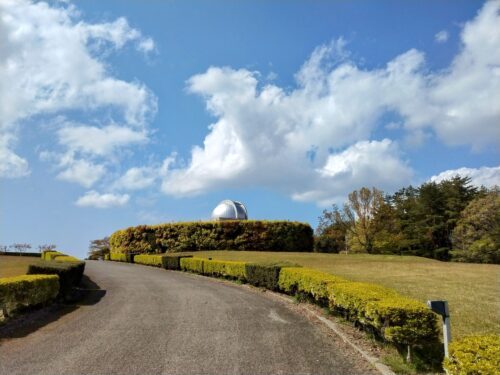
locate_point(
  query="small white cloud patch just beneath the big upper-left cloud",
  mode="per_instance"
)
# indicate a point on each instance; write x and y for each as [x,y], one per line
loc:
[98,141]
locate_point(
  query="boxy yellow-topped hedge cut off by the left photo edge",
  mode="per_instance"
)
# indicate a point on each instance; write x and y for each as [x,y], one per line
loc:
[19,292]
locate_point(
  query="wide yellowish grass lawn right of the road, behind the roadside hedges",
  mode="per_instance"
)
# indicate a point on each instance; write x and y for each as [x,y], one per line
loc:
[472,290]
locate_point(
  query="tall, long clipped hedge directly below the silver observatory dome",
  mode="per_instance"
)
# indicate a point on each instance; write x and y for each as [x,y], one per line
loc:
[223,235]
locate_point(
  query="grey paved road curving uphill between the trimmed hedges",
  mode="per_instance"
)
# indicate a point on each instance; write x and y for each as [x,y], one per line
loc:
[152,321]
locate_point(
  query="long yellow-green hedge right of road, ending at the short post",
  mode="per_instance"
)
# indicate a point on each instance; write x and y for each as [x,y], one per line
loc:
[395,318]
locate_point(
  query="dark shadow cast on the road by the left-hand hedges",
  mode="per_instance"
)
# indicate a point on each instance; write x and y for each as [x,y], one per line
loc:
[86,294]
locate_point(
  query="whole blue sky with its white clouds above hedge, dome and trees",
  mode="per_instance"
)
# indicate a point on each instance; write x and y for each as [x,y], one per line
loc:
[116,113]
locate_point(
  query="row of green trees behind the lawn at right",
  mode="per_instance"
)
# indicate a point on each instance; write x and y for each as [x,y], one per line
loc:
[449,220]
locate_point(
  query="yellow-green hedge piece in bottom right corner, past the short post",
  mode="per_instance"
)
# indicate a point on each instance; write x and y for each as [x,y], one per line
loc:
[474,355]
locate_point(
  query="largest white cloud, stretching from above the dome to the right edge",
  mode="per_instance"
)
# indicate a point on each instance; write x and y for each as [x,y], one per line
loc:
[267,136]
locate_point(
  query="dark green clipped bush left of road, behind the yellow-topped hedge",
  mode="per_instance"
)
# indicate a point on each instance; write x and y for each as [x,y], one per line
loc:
[70,273]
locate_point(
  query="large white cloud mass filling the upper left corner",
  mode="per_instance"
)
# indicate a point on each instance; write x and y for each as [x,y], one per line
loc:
[52,61]
